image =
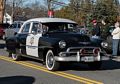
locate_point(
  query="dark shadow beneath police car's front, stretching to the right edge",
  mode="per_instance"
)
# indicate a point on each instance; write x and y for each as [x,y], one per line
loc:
[106,65]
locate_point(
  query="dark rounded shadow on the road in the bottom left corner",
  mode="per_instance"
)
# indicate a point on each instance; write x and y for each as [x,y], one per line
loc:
[17,80]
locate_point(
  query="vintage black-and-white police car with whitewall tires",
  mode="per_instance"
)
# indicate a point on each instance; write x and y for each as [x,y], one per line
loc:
[54,40]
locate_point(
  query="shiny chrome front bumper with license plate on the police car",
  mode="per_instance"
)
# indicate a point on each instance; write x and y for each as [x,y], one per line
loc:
[79,58]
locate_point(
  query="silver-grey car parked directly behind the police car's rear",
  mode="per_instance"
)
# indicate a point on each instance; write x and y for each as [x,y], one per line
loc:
[13,29]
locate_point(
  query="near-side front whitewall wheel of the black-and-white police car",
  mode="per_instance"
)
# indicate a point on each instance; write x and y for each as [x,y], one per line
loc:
[51,64]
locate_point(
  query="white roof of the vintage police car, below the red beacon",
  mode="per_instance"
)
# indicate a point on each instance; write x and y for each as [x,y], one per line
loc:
[47,20]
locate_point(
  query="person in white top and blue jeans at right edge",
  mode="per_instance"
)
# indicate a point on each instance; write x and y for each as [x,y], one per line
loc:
[115,39]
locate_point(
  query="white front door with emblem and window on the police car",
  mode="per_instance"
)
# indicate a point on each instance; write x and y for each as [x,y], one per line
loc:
[33,39]
